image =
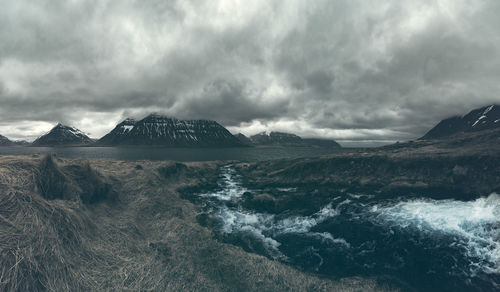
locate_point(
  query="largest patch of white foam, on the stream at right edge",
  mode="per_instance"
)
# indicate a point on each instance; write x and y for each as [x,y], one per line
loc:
[476,224]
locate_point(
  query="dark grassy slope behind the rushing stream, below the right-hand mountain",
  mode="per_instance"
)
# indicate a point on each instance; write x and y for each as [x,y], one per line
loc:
[446,168]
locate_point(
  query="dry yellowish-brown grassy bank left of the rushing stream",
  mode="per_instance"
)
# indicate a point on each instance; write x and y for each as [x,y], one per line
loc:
[142,237]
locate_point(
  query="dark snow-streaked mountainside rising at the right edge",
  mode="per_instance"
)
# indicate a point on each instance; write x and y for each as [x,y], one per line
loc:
[484,118]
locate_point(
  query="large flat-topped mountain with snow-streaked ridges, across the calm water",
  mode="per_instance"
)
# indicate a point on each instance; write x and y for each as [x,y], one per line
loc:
[165,131]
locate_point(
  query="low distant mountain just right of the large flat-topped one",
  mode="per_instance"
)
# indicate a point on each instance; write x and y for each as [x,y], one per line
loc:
[287,139]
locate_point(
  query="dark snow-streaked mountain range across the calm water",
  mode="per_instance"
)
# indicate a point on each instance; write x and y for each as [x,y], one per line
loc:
[158,130]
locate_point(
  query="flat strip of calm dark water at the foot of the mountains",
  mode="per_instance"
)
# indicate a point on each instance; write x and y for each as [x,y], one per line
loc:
[177,154]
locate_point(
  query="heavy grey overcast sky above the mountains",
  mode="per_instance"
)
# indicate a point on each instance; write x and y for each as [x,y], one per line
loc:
[348,70]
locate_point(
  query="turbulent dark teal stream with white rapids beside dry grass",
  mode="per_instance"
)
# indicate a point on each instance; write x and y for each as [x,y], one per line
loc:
[429,244]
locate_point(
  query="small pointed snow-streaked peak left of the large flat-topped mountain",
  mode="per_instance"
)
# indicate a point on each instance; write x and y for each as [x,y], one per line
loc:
[62,135]
